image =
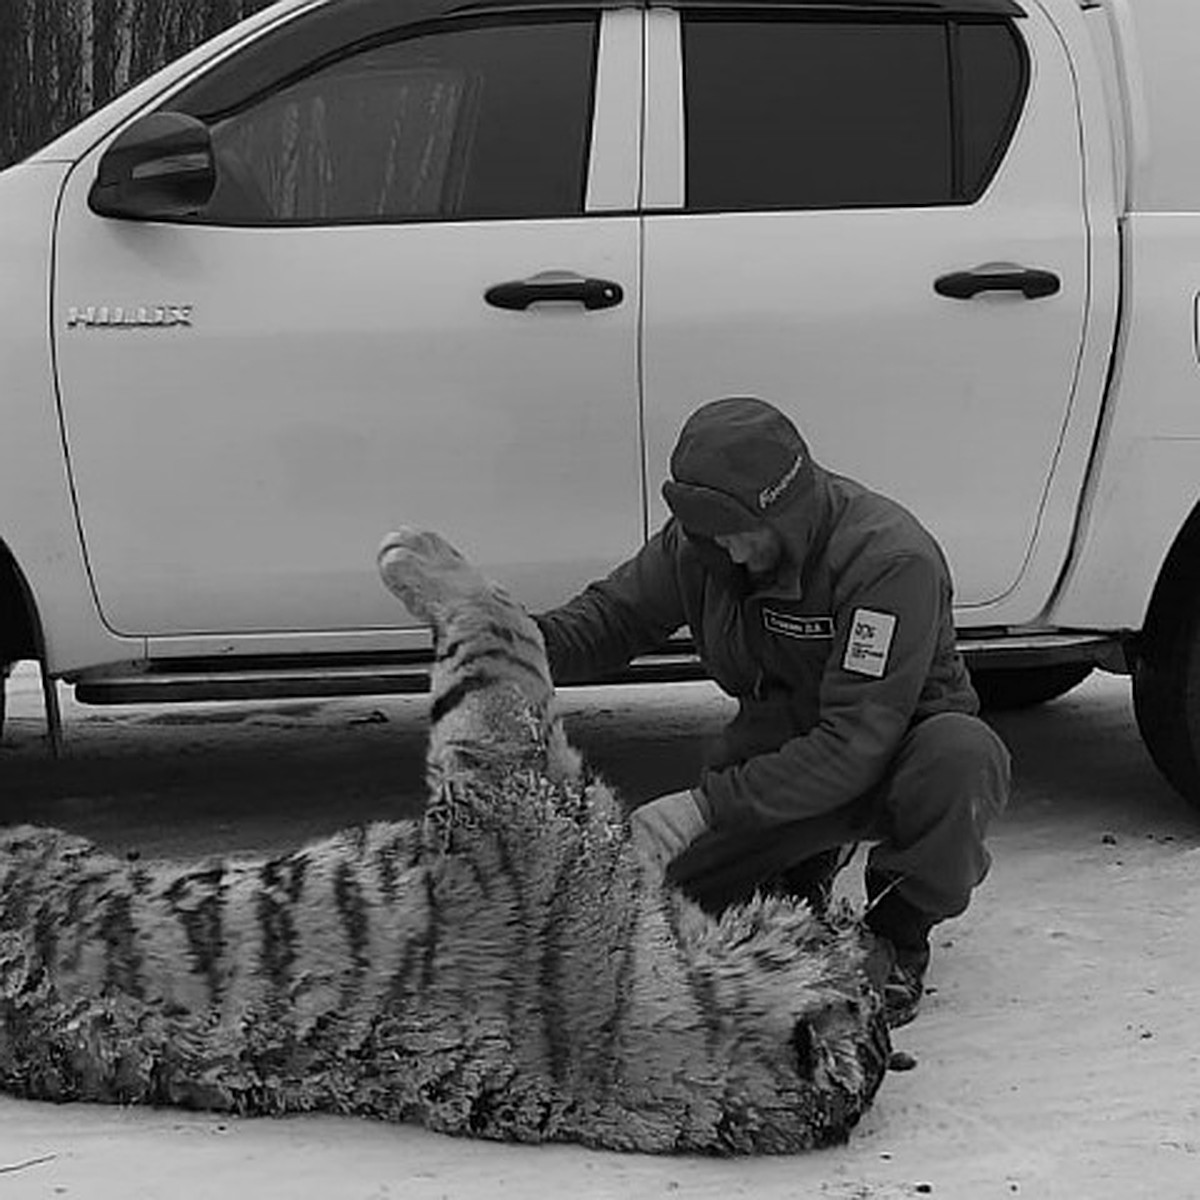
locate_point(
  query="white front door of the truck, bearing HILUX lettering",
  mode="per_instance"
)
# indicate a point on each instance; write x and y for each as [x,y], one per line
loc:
[340,368]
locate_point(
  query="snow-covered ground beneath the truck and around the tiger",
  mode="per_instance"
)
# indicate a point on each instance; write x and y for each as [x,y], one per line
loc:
[1058,1054]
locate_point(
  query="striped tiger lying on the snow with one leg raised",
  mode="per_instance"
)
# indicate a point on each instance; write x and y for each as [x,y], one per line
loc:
[508,969]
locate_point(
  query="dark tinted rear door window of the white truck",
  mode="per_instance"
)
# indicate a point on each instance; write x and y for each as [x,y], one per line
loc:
[795,113]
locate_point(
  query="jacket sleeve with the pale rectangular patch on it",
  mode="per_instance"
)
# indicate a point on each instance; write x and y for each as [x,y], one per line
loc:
[885,639]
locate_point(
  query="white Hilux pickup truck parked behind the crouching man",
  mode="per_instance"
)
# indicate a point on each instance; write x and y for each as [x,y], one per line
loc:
[469,265]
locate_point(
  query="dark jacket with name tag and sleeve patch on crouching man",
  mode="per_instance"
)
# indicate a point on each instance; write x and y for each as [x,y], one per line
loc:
[831,663]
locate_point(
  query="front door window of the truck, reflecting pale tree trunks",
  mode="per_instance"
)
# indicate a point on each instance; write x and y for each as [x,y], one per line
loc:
[484,122]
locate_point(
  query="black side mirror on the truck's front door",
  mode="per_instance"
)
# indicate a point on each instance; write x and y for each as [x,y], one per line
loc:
[160,169]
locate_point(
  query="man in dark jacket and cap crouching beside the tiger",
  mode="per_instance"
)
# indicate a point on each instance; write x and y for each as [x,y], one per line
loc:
[826,610]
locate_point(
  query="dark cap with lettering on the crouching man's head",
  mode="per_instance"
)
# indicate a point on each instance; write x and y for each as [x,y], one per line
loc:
[739,461]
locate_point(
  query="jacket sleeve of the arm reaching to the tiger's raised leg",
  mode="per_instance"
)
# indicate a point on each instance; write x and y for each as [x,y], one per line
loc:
[631,613]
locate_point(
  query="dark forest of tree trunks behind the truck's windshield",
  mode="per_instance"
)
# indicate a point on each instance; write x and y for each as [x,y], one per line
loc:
[61,59]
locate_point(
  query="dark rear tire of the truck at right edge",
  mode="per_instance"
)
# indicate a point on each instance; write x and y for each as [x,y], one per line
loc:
[1167,704]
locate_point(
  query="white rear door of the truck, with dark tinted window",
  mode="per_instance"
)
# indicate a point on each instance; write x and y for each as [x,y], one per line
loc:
[877,223]
